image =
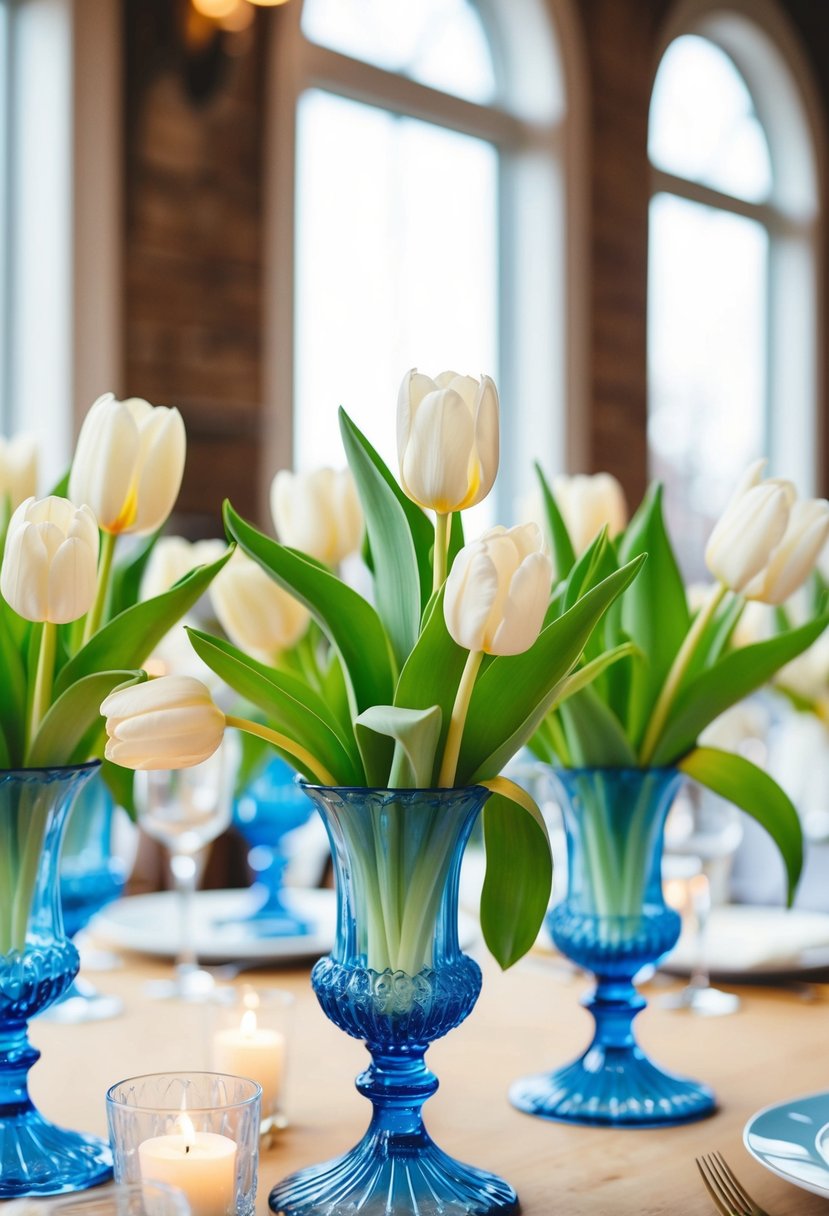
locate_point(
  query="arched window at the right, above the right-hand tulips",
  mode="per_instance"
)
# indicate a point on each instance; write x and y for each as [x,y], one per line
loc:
[732,300]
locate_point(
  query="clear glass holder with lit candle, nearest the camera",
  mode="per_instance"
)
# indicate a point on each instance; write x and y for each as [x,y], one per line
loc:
[196,1131]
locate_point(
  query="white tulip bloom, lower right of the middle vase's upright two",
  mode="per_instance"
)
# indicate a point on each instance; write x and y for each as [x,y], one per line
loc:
[499,590]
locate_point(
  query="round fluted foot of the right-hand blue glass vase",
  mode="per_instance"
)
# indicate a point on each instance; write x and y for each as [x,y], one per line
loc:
[613,1088]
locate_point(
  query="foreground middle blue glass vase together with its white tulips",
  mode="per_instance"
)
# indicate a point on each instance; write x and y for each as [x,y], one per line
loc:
[401,731]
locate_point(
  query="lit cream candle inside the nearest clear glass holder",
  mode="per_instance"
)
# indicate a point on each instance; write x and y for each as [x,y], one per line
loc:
[200,1164]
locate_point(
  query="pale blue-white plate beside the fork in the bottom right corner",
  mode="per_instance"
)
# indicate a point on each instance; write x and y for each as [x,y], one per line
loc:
[792,1140]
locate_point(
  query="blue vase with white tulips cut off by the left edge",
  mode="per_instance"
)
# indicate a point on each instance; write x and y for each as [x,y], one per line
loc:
[71,630]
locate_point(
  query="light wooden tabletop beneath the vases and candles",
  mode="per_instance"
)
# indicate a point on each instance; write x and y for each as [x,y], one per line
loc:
[526,1021]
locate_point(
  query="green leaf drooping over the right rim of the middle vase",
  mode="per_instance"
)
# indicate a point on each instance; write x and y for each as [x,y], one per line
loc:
[520,872]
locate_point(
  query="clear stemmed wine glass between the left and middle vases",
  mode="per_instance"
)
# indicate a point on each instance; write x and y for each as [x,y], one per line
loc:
[185,810]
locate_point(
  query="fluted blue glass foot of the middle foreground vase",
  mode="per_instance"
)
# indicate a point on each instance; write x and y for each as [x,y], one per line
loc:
[379,1178]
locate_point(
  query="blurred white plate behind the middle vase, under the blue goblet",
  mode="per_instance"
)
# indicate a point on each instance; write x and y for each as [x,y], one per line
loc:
[150,925]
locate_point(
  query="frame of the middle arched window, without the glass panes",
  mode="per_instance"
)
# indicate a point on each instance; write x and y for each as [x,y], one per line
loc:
[543,358]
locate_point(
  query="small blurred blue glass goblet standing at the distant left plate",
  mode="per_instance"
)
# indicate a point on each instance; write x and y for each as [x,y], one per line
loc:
[272,807]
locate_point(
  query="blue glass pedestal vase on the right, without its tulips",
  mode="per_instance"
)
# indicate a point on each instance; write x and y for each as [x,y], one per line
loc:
[613,922]
